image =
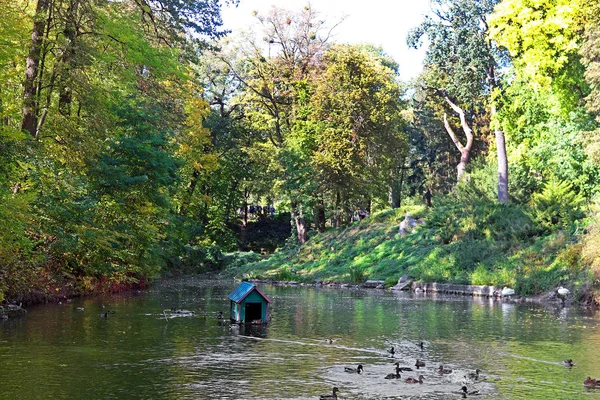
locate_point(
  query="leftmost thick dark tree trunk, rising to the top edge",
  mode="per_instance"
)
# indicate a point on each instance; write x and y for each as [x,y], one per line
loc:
[30,105]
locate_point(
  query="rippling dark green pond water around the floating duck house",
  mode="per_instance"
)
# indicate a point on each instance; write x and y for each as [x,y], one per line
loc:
[56,352]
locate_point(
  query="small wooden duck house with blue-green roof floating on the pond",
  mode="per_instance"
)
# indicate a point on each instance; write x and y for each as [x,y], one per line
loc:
[248,305]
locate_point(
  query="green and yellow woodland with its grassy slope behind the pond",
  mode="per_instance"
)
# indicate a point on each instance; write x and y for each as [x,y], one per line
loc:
[139,139]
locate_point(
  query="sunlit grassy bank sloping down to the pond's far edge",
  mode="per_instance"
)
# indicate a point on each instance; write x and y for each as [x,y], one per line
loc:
[480,243]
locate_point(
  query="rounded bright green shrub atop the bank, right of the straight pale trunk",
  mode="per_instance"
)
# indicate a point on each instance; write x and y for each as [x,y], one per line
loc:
[557,205]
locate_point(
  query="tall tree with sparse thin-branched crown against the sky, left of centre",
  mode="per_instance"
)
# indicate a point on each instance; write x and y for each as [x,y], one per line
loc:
[286,60]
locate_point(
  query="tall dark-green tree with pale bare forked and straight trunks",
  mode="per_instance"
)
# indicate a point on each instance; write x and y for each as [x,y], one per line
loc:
[468,61]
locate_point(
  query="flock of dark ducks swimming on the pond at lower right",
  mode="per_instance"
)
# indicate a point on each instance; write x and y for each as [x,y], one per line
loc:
[464,391]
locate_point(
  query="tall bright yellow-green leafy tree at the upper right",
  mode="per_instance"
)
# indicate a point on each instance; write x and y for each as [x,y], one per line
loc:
[543,101]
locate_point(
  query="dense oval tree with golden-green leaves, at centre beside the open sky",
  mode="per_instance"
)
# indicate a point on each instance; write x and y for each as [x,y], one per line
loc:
[358,140]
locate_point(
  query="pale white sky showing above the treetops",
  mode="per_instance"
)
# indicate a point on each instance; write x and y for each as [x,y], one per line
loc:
[383,23]
